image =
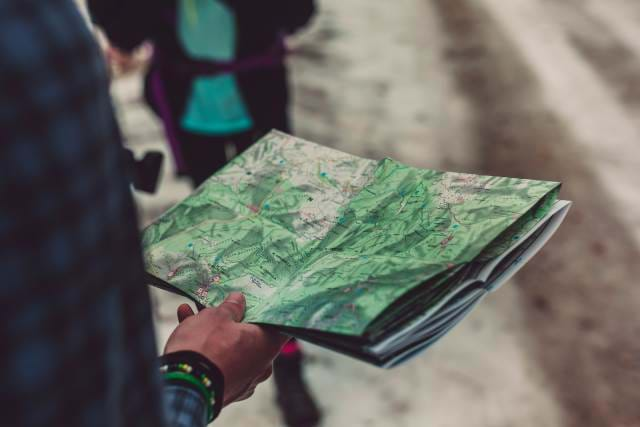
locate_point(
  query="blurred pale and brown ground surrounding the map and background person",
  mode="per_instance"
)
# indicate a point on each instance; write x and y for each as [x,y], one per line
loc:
[545,89]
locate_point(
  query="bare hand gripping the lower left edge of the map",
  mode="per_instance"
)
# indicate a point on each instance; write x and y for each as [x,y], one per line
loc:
[243,352]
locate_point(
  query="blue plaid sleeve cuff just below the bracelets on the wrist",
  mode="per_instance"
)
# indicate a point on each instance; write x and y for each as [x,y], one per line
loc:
[184,407]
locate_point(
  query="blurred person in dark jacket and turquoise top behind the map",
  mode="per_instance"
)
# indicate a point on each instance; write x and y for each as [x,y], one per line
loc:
[217,77]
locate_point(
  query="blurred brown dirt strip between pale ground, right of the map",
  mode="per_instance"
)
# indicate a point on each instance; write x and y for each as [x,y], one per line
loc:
[579,295]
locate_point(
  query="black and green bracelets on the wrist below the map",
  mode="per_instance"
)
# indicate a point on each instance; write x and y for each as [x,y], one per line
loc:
[207,378]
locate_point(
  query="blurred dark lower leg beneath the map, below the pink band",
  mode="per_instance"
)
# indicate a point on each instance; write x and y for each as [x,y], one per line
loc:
[292,395]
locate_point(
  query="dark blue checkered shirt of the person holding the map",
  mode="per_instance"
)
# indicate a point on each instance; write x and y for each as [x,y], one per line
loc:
[77,338]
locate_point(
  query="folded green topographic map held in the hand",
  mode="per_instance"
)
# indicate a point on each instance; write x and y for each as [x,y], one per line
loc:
[373,259]
